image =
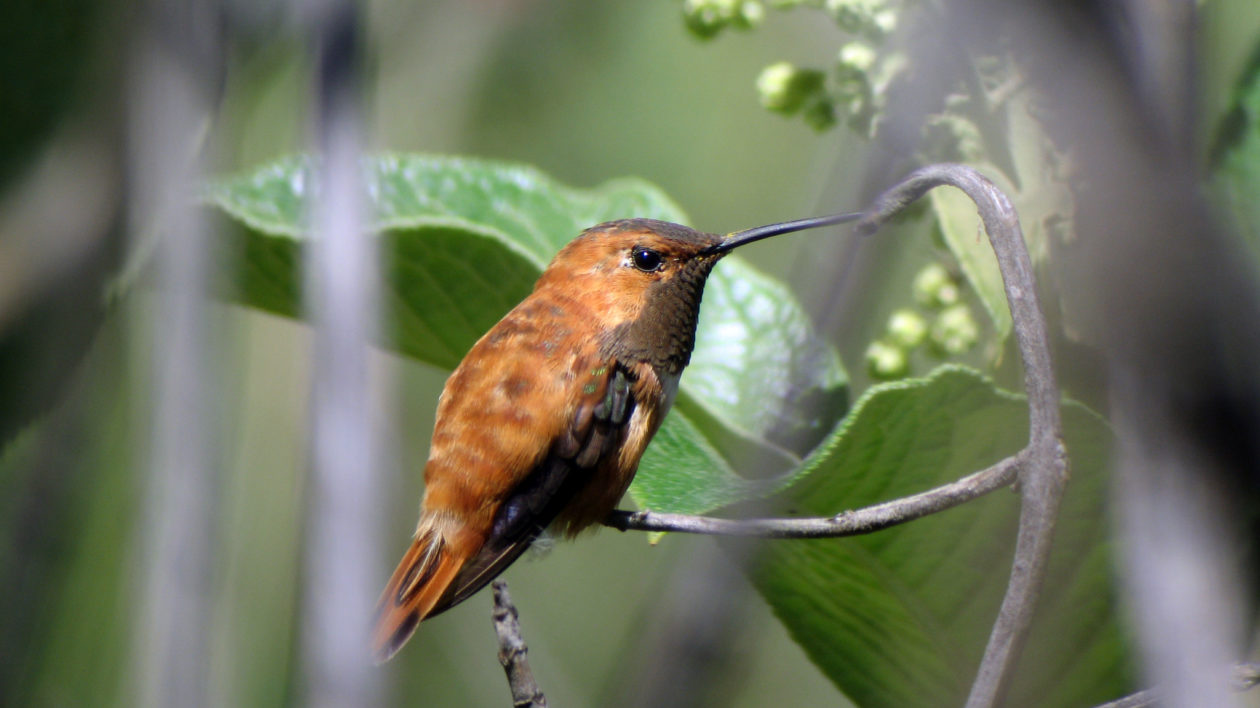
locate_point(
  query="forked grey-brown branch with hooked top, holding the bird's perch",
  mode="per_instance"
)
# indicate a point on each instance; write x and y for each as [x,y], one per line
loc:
[1041,467]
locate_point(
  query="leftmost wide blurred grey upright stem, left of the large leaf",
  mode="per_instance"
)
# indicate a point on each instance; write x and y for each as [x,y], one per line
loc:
[171,98]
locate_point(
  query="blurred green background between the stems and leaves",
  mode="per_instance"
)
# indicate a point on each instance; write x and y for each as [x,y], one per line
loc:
[585,91]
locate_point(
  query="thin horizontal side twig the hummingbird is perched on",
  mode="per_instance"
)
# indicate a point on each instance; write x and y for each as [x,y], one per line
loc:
[857,522]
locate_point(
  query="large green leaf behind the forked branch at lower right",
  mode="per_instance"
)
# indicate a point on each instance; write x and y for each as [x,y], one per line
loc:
[902,618]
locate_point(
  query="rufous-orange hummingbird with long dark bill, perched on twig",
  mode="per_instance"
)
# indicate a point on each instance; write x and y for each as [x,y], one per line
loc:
[545,421]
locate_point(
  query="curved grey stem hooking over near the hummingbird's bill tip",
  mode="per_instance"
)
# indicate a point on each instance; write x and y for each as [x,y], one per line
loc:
[1044,469]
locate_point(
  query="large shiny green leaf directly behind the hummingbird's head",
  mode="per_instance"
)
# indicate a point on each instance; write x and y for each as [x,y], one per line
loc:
[464,241]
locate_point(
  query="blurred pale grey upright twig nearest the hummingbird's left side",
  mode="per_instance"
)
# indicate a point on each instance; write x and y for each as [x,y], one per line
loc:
[343,507]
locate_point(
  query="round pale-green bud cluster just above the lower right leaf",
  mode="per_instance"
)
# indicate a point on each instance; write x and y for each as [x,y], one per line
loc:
[943,322]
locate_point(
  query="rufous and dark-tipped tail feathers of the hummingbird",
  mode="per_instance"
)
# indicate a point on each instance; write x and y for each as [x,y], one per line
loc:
[418,585]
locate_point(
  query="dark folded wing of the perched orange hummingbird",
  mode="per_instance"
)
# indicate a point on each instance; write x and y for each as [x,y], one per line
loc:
[603,413]
